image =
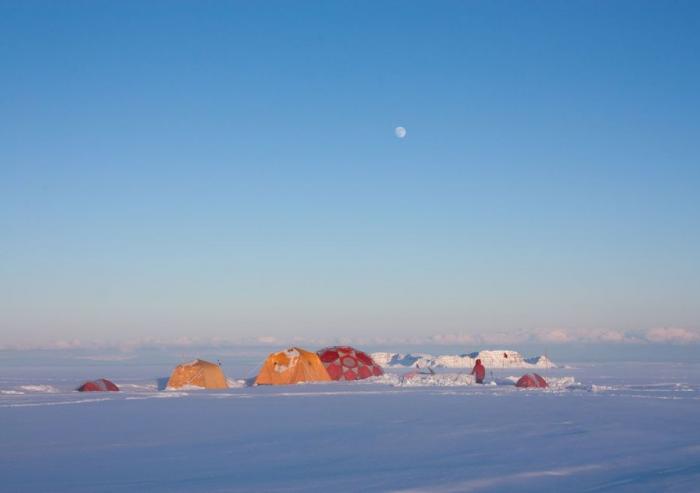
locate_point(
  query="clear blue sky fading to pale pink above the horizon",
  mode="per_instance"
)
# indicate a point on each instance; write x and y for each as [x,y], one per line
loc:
[230,170]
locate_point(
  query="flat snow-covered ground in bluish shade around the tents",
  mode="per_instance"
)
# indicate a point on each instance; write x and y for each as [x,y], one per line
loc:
[602,427]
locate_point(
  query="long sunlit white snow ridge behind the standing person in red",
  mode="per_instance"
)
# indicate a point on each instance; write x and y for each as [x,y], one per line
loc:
[490,359]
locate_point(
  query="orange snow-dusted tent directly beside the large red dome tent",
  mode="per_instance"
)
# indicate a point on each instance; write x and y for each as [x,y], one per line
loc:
[294,365]
